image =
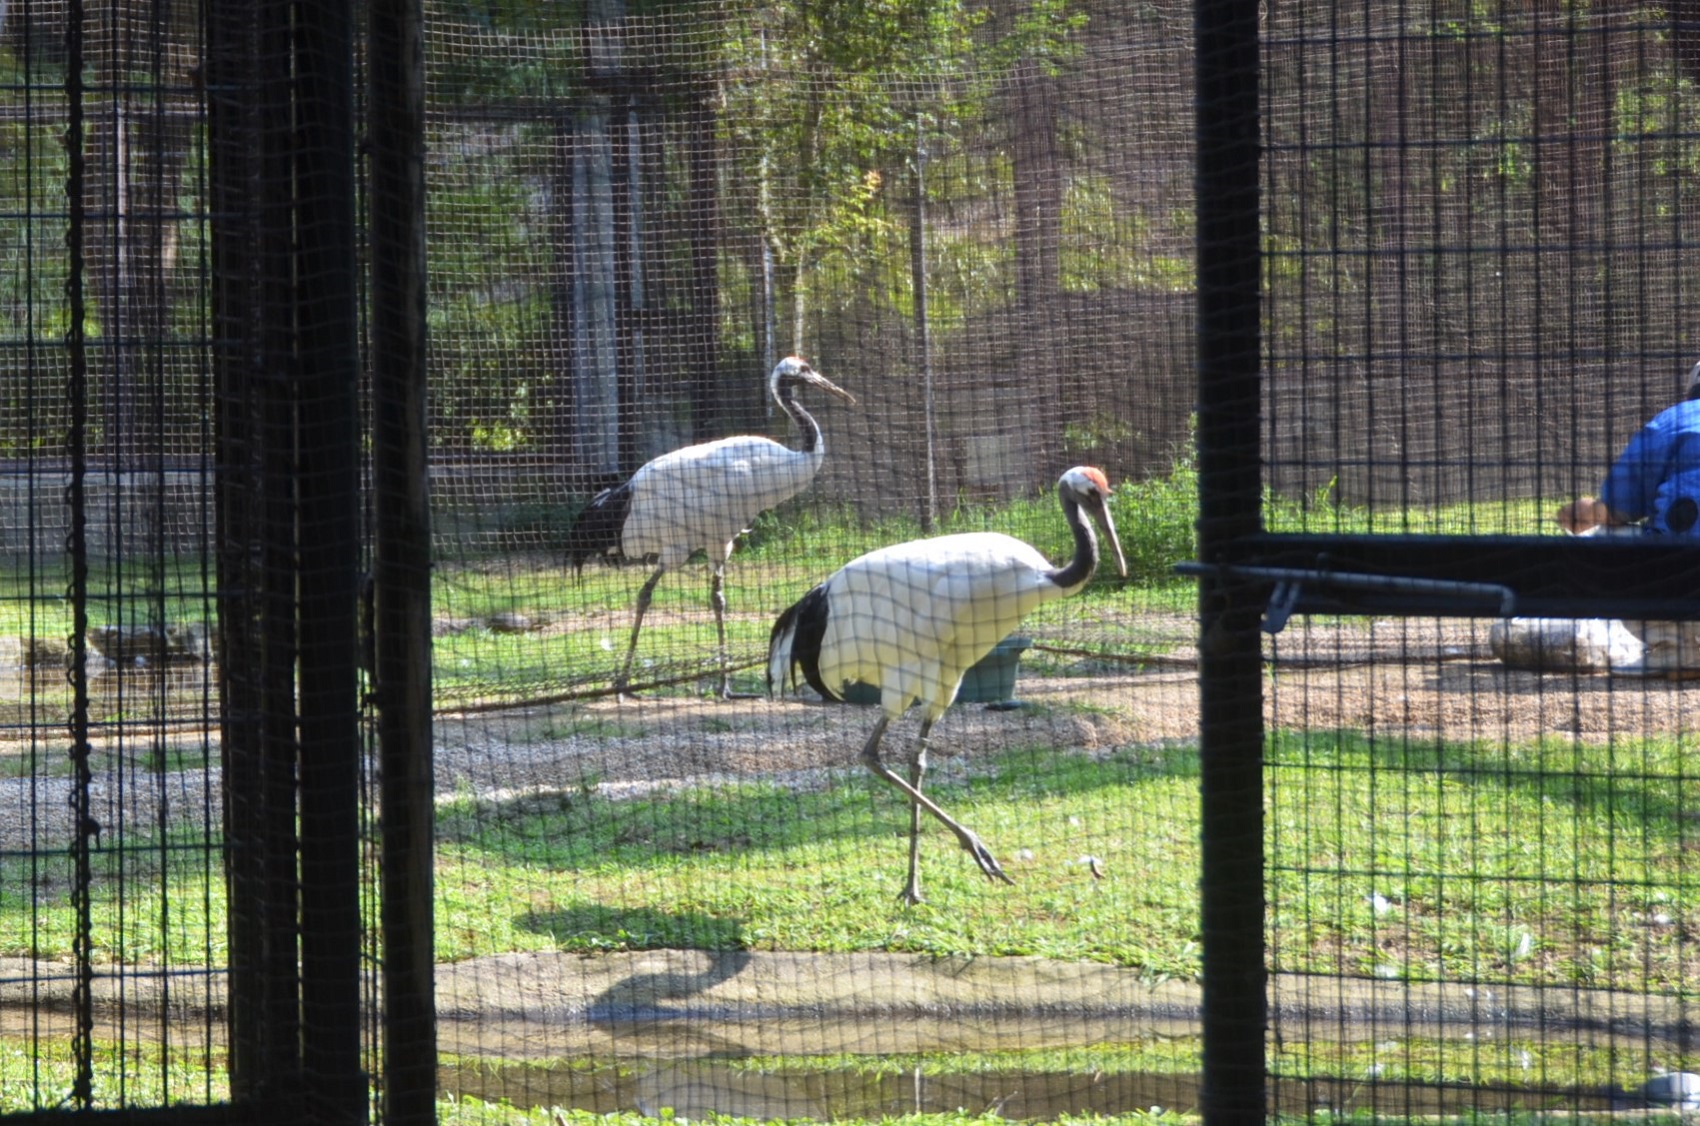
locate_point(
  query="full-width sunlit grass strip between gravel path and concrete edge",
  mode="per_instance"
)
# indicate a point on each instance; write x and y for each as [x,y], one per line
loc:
[1553,863]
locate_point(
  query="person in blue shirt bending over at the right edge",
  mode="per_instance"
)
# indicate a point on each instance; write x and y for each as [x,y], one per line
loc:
[1653,489]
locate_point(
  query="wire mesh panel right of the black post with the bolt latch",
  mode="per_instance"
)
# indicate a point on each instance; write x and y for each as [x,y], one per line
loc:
[1480,224]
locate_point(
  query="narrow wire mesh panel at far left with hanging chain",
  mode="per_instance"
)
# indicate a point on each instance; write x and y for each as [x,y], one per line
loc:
[110,819]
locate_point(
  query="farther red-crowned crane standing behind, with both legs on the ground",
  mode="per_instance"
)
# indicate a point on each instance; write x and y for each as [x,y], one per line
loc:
[703,498]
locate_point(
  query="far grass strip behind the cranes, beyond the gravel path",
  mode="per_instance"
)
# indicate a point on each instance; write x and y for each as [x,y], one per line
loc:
[795,547]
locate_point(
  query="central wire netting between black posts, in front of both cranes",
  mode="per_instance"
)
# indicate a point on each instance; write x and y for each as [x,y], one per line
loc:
[977,227]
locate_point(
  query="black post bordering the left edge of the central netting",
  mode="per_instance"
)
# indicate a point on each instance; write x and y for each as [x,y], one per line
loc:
[402,554]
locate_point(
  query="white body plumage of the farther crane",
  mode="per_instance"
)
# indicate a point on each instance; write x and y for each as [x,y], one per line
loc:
[703,498]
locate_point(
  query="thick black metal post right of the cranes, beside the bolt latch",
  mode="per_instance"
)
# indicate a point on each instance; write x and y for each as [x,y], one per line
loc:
[1230,496]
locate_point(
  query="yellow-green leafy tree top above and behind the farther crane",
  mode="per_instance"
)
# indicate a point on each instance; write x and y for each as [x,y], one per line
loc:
[815,122]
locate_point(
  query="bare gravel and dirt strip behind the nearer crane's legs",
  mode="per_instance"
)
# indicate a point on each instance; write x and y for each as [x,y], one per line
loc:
[1431,678]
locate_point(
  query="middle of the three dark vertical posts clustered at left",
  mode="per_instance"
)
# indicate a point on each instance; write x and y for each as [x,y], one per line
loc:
[329,562]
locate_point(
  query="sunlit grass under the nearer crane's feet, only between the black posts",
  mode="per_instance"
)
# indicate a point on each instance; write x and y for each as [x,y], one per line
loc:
[756,867]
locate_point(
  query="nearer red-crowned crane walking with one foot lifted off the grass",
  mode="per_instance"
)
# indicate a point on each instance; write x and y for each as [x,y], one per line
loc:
[912,618]
